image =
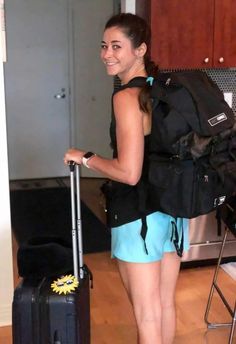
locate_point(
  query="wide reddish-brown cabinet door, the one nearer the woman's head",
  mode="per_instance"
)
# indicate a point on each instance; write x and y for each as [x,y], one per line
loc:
[182,33]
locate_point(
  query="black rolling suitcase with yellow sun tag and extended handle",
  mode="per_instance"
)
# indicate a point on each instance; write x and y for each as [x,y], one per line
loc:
[42,315]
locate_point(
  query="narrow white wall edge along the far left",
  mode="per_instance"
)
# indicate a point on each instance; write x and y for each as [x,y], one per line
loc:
[6,266]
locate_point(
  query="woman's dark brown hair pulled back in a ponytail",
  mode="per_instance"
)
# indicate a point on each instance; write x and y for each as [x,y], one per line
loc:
[138,31]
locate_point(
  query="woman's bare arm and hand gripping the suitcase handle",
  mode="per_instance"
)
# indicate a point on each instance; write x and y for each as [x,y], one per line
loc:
[127,167]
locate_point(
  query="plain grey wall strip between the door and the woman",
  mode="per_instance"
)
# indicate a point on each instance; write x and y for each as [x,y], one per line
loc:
[93,87]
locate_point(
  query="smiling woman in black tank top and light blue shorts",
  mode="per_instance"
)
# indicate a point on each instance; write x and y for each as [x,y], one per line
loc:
[142,241]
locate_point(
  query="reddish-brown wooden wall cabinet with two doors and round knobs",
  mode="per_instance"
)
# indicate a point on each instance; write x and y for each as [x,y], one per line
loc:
[191,33]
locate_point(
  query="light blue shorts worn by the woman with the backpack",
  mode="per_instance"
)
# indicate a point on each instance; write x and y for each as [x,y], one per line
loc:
[128,245]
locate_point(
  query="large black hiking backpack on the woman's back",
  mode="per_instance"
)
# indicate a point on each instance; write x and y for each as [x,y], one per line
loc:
[192,153]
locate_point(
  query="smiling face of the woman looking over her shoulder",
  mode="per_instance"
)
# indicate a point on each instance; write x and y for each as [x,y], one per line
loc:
[117,52]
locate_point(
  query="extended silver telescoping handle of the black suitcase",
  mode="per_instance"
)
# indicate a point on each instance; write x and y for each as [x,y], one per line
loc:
[77,243]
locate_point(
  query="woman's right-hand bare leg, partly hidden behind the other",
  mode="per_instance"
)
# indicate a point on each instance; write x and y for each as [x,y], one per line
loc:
[169,273]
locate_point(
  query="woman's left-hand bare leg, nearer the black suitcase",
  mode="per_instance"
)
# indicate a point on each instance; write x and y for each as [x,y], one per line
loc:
[142,282]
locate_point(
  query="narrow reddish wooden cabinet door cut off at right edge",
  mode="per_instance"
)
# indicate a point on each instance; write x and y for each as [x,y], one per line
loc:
[225,34]
